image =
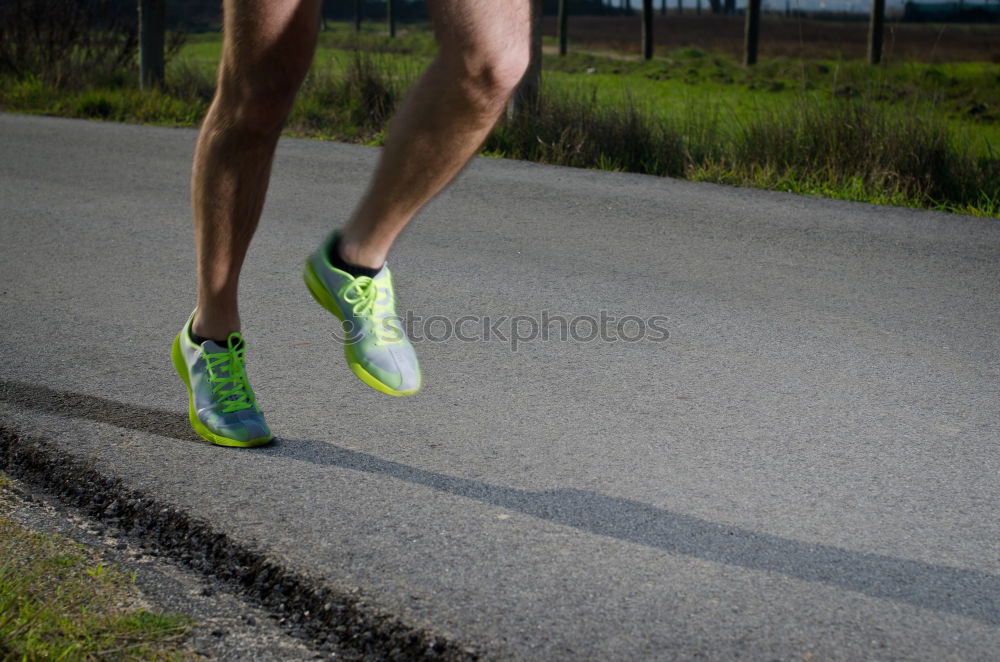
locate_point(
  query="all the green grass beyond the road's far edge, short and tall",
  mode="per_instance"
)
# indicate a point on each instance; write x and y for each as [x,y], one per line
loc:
[907,133]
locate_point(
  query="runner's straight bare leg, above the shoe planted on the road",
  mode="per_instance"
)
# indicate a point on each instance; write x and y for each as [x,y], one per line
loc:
[267,48]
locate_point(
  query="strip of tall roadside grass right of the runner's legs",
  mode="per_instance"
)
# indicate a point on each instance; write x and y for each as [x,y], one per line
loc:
[852,148]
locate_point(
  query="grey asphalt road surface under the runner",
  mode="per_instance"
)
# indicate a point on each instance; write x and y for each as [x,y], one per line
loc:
[806,468]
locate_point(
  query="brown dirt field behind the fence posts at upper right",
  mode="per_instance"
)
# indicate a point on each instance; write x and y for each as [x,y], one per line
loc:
[790,37]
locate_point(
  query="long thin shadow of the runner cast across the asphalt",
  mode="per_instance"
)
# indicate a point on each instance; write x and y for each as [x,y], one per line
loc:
[967,593]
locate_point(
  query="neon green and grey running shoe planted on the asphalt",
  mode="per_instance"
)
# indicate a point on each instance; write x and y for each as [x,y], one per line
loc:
[221,405]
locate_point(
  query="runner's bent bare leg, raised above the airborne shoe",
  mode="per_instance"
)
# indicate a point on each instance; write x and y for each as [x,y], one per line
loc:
[484,50]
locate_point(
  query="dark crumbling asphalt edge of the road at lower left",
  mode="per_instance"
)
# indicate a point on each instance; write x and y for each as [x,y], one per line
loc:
[325,614]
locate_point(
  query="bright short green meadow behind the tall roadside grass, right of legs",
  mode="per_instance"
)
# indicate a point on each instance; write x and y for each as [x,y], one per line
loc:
[965,95]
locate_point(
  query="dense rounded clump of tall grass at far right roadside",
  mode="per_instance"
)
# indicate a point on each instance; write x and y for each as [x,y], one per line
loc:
[856,145]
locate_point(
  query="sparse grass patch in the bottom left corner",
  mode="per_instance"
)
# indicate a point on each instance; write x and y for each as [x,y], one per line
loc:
[60,601]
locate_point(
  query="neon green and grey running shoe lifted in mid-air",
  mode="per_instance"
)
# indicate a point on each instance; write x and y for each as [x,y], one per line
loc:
[375,343]
